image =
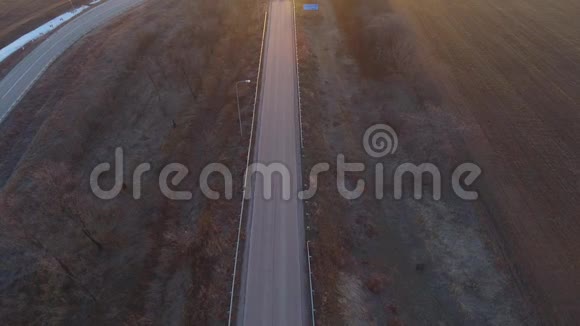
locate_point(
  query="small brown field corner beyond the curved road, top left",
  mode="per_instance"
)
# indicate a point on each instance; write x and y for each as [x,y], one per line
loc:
[18,17]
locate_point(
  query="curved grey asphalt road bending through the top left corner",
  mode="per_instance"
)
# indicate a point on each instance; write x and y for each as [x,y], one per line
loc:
[18,81]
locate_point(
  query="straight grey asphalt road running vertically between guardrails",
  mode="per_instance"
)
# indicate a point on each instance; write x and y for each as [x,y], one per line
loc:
[273,289]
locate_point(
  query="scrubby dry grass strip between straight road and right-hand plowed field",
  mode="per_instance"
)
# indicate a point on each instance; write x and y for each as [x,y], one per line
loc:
[434,261]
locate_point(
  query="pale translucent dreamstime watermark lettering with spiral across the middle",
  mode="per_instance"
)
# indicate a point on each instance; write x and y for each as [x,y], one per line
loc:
[379,141]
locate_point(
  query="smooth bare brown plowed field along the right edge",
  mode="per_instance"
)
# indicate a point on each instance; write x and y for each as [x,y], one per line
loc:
[513,75]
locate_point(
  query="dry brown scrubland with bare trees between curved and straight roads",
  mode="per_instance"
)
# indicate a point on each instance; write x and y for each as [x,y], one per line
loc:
[159,83]
